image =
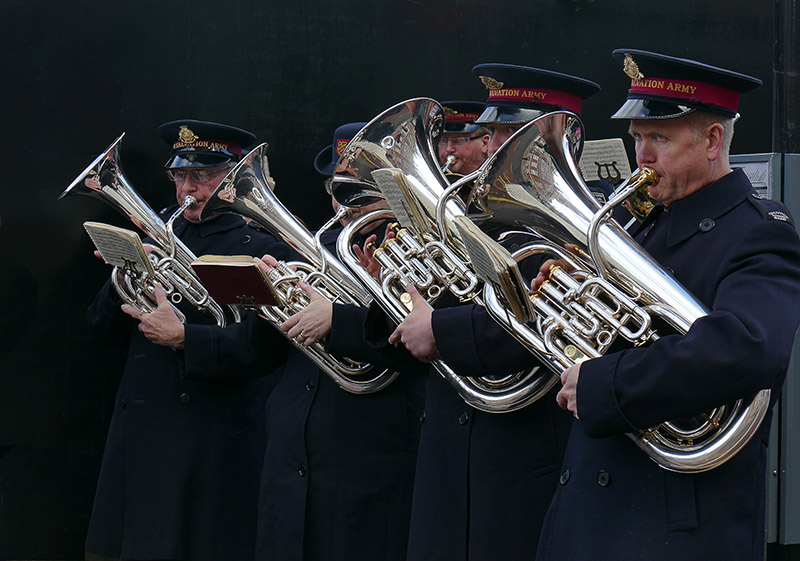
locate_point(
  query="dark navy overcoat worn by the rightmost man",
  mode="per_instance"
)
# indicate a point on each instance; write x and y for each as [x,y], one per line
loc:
[740,256]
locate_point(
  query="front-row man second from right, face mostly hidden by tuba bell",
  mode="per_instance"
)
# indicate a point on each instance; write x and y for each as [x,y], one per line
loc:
[484,480]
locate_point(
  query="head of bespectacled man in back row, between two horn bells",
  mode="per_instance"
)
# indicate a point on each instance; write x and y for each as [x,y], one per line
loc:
[463,146]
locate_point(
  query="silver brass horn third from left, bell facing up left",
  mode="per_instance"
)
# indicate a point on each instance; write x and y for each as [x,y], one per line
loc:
[393,157]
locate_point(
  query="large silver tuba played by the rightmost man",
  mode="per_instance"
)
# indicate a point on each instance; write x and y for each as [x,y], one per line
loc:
[614,292]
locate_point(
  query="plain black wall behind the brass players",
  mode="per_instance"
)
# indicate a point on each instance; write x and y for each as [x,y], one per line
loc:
[76,74]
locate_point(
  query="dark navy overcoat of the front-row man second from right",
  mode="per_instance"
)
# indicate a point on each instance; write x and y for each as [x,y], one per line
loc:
[484,480]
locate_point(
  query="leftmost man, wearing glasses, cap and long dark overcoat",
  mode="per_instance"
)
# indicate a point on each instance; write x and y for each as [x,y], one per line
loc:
[180,472]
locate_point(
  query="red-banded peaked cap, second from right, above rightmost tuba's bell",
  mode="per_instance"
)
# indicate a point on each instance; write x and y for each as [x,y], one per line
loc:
[519,94]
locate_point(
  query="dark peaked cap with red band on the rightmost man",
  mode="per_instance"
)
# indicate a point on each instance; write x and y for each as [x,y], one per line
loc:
[666,87]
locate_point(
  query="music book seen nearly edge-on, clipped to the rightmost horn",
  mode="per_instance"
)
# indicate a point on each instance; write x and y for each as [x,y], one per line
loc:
[496,266]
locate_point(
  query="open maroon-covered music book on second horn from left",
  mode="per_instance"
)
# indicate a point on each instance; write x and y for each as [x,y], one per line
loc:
[235,279]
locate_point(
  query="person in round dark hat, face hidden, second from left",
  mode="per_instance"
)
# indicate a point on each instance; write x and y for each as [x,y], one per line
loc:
[339,467]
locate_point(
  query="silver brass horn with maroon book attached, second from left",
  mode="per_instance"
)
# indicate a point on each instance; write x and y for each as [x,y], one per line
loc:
[248,190]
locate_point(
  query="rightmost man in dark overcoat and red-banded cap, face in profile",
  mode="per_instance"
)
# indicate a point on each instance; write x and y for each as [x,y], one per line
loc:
[737,253]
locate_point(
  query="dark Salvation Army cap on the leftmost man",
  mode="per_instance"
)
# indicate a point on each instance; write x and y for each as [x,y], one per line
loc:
[203,143]
